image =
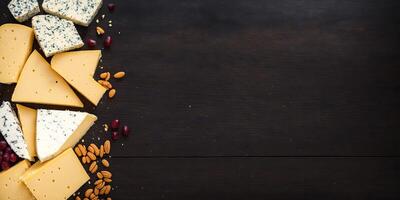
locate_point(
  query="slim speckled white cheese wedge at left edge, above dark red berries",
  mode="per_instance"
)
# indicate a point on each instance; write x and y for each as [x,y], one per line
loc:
[10,128]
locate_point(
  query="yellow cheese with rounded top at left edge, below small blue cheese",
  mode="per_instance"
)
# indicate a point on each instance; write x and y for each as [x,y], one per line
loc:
[15,46]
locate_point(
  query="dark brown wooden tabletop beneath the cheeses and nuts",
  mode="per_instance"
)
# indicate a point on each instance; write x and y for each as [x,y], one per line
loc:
[254,99]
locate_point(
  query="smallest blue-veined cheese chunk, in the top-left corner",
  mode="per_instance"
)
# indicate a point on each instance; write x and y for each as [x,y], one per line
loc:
[22,10]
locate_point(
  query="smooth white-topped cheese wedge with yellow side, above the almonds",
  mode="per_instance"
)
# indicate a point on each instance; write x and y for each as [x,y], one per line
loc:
[57,130]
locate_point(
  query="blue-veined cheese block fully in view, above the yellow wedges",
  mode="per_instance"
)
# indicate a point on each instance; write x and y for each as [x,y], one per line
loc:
[55,35]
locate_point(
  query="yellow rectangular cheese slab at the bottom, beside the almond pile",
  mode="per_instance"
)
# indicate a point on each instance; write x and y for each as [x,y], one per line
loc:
[56,179]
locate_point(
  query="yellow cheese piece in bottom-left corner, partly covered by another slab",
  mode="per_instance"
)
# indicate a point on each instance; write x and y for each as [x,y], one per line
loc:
[11,187]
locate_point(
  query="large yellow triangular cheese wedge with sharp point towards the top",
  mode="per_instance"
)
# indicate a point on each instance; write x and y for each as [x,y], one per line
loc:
[38,83]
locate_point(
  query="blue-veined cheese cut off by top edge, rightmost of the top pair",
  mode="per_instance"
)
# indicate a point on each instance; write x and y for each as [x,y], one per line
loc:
[80,12]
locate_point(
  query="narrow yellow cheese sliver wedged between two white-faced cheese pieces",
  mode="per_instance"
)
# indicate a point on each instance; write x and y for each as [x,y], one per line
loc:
[27,117]
